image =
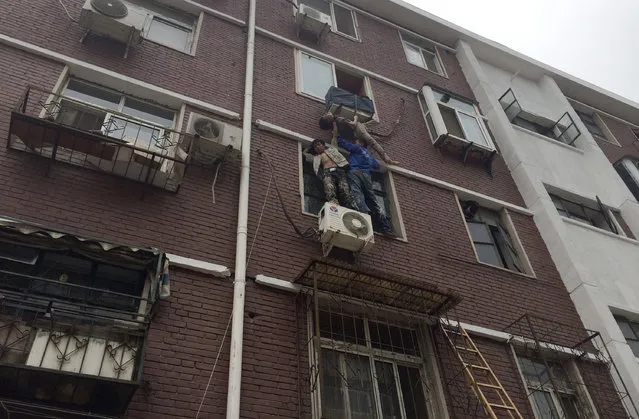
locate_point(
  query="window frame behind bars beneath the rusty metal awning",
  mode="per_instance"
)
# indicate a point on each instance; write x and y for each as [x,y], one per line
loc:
[426,364]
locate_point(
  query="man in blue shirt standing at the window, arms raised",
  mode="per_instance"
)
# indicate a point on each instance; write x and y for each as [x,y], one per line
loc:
[359,178]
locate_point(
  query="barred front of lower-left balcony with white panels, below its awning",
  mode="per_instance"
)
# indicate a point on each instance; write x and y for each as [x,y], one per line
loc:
[69,347]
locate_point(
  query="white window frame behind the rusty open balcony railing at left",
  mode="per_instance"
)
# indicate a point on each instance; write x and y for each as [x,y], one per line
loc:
[109,113]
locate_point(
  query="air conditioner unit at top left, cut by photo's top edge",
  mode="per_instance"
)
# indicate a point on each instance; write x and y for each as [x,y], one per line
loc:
[114,19]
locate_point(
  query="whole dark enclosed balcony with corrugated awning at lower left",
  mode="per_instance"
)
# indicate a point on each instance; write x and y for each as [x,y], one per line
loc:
[74,315]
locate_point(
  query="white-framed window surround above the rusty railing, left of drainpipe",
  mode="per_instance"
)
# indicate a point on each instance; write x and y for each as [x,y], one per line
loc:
[109,113]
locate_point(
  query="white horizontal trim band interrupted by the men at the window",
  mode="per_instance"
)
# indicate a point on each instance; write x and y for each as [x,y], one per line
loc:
[486,200]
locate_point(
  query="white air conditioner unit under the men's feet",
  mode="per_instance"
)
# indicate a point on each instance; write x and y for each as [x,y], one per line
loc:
[345,228]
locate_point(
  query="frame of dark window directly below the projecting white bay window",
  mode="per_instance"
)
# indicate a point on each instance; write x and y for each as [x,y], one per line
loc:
[506,224]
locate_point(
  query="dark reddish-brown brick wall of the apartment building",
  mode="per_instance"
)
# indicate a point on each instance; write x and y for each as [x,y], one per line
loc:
[189,328]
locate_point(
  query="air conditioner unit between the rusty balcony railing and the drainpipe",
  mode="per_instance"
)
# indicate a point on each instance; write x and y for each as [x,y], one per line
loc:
[213,139]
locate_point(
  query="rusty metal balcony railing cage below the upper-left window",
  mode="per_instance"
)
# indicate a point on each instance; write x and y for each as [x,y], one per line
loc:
[66,130]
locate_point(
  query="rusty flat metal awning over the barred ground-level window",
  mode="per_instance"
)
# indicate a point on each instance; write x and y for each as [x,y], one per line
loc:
[378,287]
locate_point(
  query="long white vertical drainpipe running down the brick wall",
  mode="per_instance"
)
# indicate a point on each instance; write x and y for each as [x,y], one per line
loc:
[239,285]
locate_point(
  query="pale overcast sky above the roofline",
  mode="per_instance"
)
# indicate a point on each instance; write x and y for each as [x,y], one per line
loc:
[595,40]
